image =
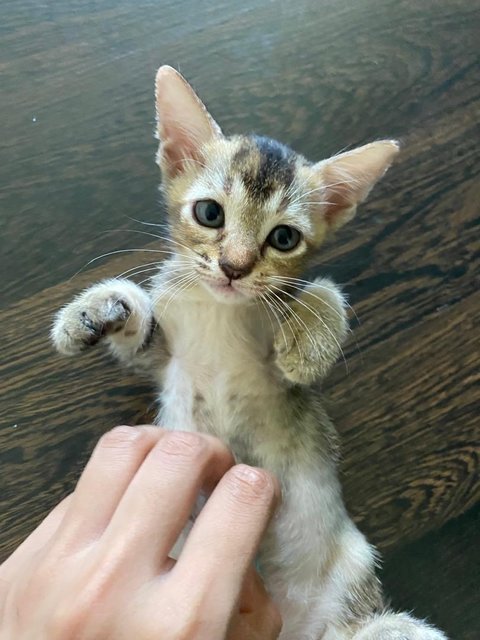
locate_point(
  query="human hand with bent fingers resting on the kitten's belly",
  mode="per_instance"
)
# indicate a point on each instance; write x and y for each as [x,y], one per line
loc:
[97,568]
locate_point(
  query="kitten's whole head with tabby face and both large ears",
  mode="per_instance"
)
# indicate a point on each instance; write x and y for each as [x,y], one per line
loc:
[247,213]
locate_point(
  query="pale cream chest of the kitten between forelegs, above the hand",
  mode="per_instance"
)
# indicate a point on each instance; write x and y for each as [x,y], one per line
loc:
[219,369]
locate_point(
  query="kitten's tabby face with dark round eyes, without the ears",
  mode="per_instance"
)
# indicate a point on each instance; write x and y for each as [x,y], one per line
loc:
[247,214]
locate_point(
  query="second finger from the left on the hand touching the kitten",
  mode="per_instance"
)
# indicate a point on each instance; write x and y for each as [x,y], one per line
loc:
[112,465]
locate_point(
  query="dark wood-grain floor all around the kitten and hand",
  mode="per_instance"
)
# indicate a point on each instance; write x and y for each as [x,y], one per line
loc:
[76,156]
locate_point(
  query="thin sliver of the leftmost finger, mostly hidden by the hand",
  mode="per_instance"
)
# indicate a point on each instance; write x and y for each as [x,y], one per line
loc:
[36,541]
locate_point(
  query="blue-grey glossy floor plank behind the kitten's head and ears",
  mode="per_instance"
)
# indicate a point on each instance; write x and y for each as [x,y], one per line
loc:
[77,96]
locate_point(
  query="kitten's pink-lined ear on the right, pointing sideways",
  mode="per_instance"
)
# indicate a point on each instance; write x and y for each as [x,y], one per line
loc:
[348,178]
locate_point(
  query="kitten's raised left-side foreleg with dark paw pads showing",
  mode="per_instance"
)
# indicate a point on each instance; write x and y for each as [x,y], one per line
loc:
[115,311]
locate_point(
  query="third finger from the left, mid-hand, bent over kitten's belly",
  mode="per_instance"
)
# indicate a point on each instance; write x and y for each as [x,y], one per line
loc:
[161,496]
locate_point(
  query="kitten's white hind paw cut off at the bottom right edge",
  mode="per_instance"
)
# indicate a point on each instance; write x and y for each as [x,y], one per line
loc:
[397,626]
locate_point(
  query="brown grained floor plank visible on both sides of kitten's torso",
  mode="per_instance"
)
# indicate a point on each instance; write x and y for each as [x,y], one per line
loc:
[411,461]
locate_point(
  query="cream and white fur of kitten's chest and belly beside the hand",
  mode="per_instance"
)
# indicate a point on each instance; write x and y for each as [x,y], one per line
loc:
[222,354]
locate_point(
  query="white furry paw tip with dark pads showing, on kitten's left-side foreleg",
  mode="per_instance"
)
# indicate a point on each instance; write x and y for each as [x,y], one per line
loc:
[83,322]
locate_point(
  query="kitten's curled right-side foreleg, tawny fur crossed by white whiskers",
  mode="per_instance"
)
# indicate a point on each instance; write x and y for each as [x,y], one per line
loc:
[308,343]
